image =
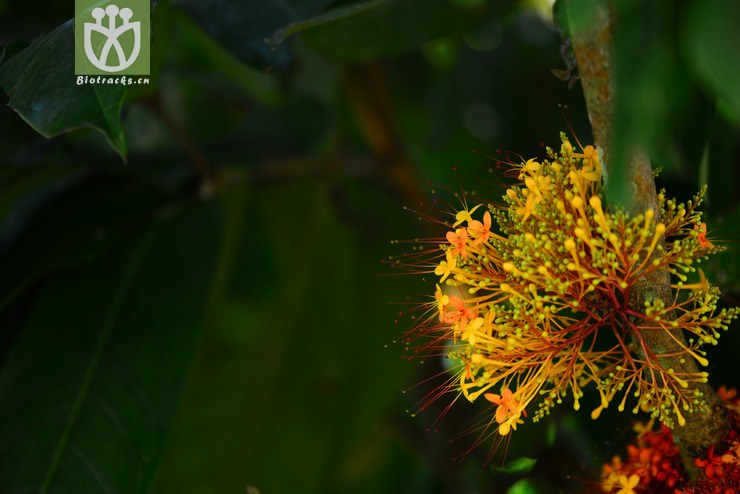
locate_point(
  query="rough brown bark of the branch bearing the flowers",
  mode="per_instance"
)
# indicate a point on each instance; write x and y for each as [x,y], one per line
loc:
[592,45]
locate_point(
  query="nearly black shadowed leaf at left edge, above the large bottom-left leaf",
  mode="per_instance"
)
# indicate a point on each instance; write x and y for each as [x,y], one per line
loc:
[67,223]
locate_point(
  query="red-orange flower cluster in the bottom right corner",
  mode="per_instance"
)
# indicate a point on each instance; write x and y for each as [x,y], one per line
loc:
[653,464]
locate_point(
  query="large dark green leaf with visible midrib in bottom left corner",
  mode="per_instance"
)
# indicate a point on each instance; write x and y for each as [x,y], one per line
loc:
[91,385]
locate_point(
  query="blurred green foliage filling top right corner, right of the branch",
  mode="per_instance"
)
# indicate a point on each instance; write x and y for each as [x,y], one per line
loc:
[672,71]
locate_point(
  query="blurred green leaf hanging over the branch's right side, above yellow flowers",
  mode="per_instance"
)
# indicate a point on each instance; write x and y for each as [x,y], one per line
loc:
[652,94]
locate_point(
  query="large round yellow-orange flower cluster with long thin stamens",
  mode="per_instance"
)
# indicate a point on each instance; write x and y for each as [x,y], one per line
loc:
[541,309]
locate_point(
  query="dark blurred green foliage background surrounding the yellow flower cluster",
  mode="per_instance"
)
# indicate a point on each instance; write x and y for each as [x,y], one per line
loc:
[192,297]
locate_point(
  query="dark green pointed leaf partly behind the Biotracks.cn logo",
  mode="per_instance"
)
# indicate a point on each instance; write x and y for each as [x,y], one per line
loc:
[42,88]
